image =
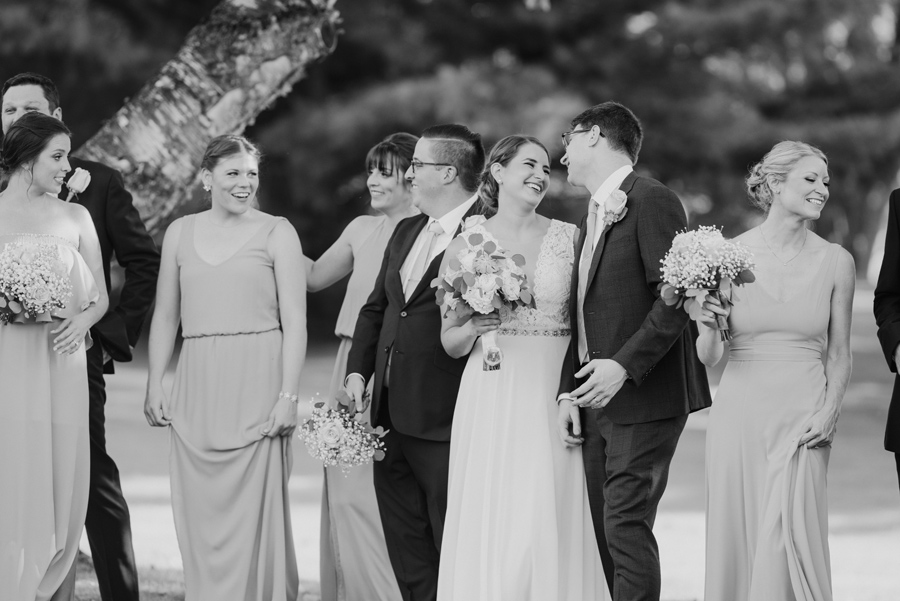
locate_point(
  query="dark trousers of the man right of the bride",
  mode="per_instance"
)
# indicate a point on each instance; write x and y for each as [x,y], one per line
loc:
[627,467]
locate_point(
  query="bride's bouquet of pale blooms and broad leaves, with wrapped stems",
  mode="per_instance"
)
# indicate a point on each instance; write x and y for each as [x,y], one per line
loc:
[482,278]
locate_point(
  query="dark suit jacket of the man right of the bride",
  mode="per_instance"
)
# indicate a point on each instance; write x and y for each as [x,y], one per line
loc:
[625,319]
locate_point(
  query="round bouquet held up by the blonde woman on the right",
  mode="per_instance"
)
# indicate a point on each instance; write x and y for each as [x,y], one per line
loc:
[702,261]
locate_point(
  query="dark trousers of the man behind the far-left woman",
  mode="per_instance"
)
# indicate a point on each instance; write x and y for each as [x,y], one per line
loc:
[108,523]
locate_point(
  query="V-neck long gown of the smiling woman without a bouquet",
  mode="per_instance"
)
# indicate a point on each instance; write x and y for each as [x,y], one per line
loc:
[229,482]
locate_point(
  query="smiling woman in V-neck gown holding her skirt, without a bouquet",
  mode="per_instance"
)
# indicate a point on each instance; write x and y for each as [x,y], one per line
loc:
[229,277]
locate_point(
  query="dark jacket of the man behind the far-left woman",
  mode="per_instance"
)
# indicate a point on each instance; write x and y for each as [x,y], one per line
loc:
[121,231]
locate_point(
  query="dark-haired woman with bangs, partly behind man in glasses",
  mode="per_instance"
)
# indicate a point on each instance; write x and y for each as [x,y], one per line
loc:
[354,562]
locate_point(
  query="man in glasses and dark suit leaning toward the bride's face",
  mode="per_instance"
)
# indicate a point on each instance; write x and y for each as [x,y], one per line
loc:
[631,376]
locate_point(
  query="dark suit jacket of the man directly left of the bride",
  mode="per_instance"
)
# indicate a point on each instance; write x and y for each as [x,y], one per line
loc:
[424,378]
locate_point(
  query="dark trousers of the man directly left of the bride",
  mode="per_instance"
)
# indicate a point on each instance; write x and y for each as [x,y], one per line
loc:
[411,489]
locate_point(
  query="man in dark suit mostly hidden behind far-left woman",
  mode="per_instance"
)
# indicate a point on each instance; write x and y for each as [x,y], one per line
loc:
[121,231]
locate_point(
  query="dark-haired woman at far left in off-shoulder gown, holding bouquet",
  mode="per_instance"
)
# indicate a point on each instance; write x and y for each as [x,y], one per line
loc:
[44,333]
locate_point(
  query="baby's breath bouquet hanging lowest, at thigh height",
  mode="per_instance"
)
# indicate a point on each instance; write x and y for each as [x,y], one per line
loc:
[341,437]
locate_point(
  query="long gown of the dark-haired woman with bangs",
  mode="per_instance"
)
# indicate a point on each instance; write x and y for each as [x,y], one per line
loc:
[354,563]
